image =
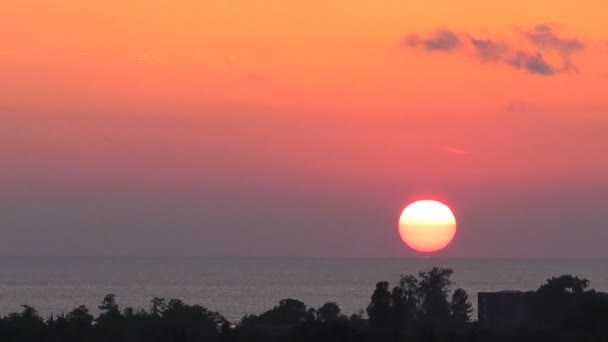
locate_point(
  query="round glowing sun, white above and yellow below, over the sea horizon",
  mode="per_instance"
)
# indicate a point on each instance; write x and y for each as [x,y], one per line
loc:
[427,226]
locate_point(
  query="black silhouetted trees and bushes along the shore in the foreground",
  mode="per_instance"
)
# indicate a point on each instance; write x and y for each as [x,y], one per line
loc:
[418,308]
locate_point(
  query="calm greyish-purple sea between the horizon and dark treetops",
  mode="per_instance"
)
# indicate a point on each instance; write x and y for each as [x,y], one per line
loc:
[236,286]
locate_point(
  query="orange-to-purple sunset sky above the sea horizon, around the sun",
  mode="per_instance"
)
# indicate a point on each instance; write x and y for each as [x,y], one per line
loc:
[250,128]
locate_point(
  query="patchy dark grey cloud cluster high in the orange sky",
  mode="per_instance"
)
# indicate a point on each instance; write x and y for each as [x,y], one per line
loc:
[532,54]
